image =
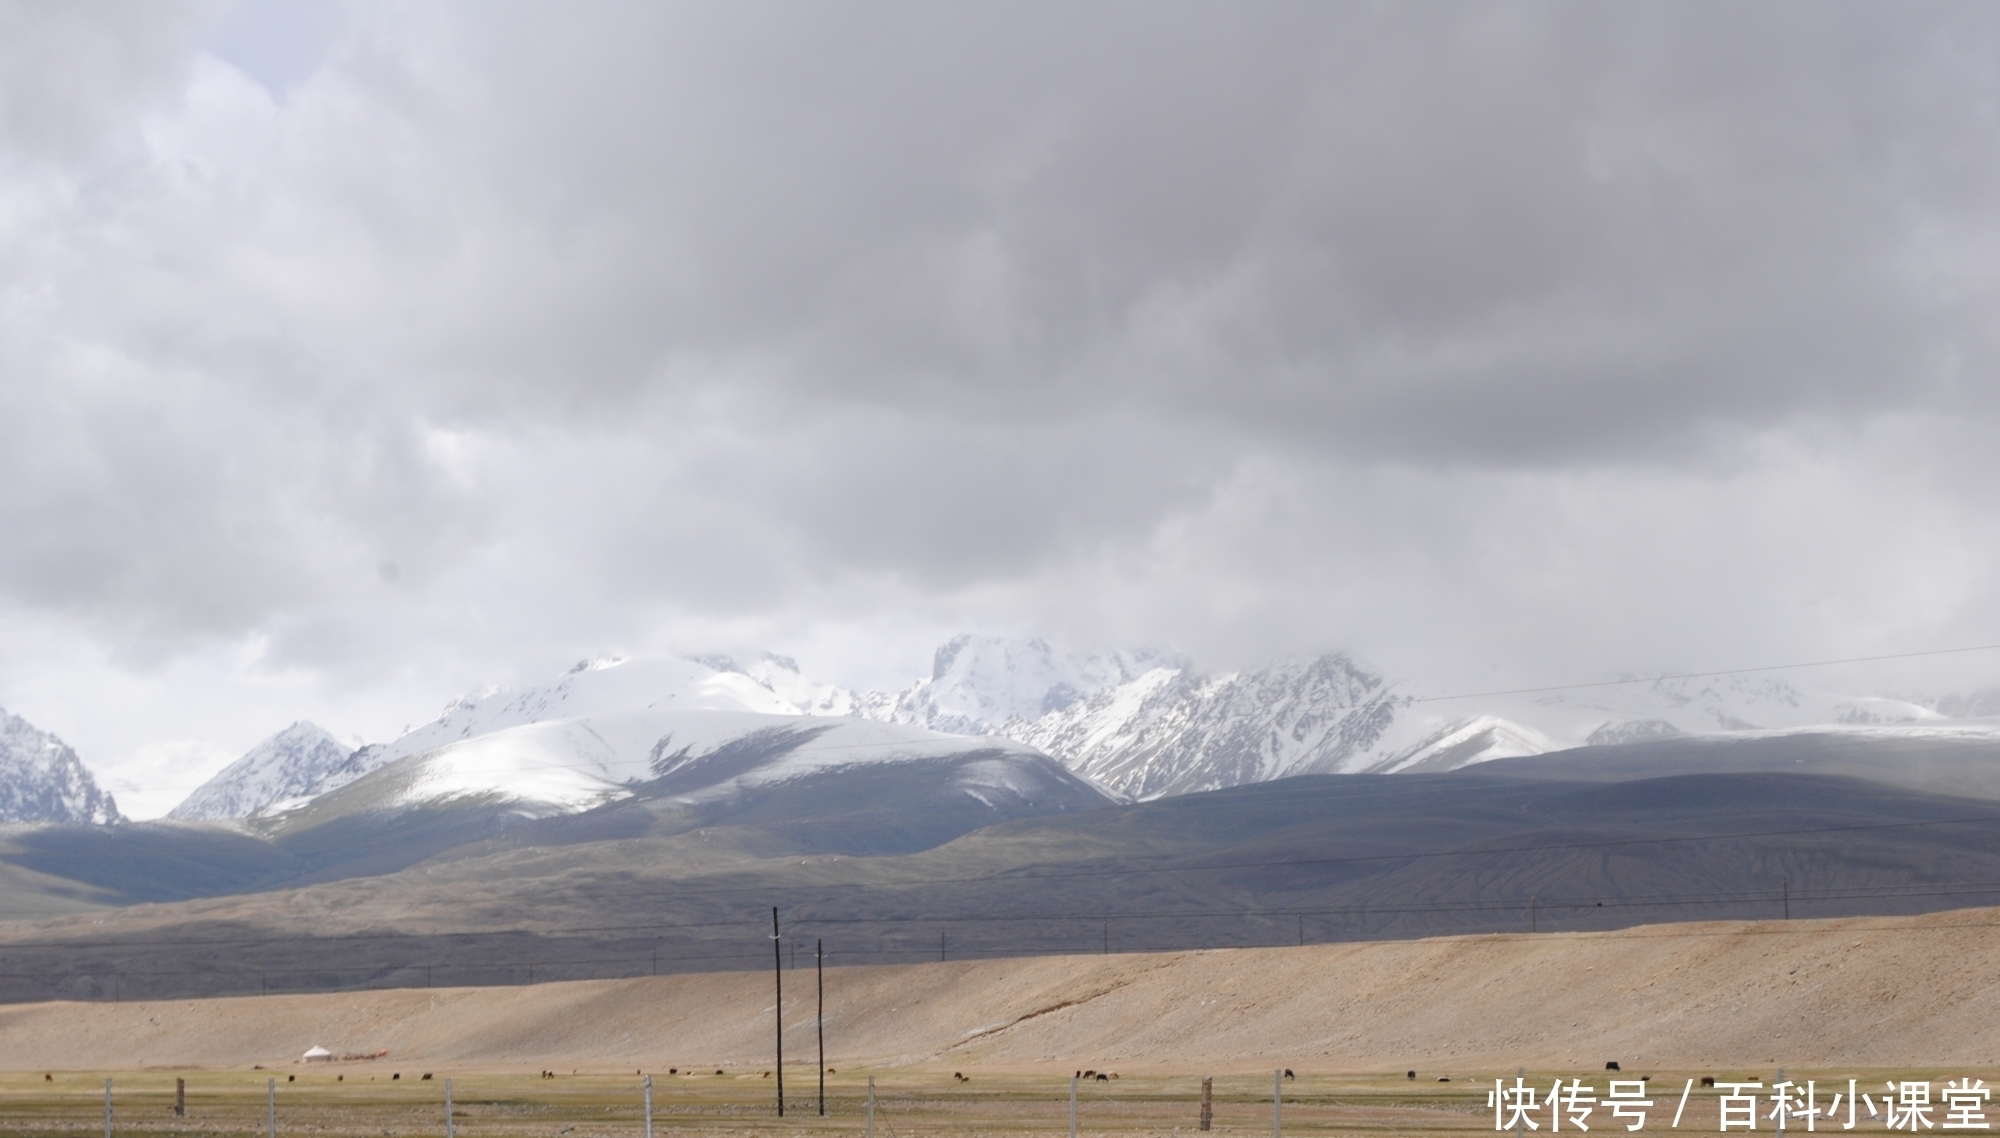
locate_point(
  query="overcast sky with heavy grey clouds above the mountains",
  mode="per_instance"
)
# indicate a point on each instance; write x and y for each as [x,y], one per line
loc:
[353,357]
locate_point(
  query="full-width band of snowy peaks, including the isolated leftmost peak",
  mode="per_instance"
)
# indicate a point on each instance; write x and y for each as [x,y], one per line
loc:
[1137,723]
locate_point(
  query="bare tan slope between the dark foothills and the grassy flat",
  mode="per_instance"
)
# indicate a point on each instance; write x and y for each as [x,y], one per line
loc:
[1837,993]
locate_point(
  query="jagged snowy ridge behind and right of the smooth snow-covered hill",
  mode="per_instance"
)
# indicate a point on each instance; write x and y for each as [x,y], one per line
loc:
[1145,725]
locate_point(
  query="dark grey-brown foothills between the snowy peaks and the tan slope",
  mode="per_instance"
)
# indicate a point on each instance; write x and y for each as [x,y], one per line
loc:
[467,891]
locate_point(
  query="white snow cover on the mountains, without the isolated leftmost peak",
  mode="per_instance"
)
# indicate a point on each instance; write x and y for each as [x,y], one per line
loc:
[1139,725]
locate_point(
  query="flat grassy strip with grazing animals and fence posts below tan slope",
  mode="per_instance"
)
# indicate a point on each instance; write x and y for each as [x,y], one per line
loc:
[347,1099]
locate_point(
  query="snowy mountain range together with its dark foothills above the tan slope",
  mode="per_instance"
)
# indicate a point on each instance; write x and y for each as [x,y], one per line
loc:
[643,815]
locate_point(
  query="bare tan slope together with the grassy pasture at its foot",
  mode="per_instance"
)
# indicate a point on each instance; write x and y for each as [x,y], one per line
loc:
[1871,999]
